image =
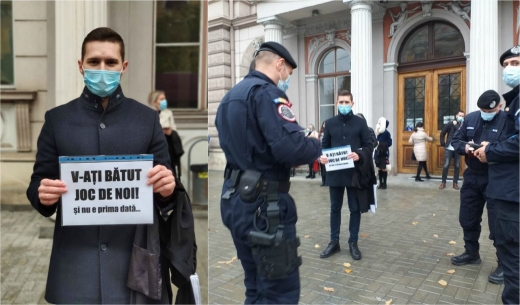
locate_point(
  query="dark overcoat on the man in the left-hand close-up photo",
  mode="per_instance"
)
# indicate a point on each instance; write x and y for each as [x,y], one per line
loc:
[89,264]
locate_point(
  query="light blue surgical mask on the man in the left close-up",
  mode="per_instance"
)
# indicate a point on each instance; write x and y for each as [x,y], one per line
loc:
[102,82]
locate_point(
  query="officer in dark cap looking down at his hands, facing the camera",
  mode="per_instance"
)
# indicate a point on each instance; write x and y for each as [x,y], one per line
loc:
[486,124]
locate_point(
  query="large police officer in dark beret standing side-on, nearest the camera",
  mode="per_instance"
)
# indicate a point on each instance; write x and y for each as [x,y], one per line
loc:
[261,139]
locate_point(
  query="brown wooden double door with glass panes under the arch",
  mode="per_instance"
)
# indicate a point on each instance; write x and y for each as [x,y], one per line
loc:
[432,97]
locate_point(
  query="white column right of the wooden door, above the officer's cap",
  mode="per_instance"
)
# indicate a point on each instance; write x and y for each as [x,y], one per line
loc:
[484,52]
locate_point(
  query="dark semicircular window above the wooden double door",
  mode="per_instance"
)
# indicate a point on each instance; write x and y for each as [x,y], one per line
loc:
[433,45]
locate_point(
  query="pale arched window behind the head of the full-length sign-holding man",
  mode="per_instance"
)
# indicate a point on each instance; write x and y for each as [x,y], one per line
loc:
[333,76]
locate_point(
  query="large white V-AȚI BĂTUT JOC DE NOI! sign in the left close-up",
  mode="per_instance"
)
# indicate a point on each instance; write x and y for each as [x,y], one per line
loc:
[106,190]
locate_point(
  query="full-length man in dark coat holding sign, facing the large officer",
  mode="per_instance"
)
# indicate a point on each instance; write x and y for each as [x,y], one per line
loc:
[341,130]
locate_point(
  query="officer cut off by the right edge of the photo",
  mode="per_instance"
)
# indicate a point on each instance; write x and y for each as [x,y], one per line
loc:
[502,188]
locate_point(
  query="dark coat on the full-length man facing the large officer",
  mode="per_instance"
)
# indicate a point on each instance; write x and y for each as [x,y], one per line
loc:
[343,130]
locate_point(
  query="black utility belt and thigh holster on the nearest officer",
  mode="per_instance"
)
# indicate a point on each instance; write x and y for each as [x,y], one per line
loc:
[277,255]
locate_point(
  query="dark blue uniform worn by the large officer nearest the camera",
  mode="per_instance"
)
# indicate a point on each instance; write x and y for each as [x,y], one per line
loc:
[258,131]
